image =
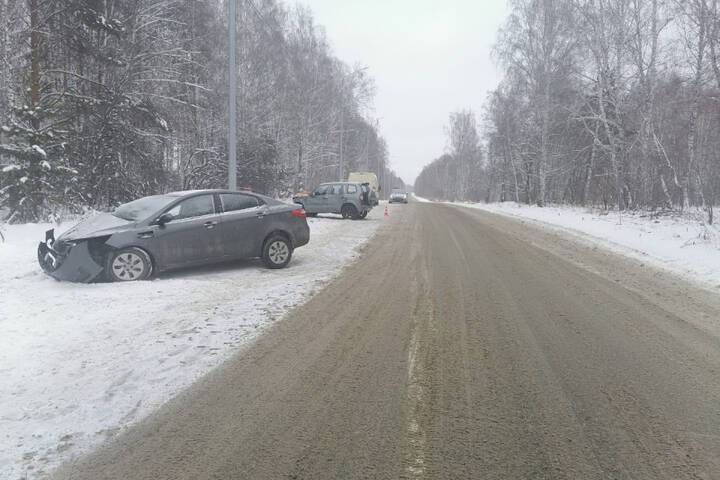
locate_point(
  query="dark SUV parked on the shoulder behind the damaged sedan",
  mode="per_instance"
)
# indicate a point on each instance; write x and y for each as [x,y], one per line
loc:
[349,199]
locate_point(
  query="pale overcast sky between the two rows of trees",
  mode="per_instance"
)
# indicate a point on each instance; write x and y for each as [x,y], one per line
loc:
[428,57]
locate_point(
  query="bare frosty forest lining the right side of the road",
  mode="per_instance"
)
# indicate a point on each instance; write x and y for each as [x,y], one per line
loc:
[611,103]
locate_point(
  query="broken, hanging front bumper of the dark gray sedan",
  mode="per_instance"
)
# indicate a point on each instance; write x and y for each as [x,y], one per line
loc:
[69,261]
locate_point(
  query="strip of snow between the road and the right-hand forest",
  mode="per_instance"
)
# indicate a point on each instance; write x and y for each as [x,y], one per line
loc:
[685,244]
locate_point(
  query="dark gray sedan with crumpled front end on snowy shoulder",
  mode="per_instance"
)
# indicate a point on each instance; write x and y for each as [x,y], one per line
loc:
[176,230]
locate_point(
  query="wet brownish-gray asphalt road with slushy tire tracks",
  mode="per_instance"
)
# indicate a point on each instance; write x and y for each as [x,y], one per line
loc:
[462,345]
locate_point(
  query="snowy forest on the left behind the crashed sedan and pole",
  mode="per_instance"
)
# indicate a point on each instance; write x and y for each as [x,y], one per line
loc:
[104,101]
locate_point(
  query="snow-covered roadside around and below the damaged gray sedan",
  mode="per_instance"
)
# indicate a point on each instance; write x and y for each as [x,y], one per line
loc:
[78,363]
